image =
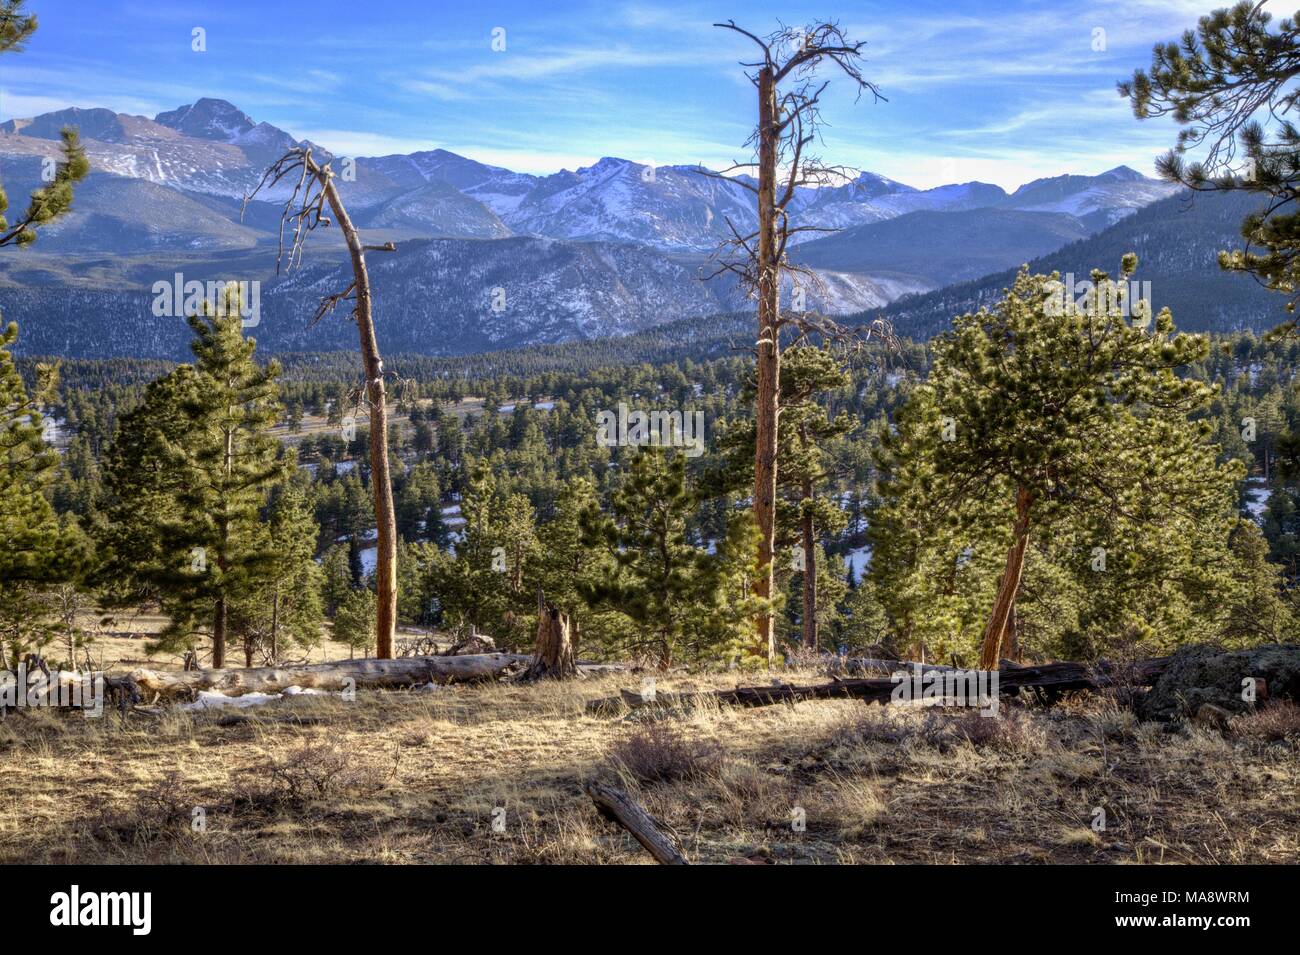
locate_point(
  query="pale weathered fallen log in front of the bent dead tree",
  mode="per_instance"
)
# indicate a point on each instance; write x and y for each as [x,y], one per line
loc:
[406,671]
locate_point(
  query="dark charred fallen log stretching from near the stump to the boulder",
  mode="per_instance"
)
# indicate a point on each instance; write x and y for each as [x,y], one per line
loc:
[1055,678]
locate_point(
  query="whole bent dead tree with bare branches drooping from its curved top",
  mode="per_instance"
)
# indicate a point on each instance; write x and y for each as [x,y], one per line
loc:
[304,211]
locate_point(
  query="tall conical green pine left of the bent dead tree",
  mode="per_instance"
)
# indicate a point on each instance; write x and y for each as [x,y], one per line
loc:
[189,474]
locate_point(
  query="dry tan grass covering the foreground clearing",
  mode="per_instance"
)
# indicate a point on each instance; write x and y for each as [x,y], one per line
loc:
[421,778]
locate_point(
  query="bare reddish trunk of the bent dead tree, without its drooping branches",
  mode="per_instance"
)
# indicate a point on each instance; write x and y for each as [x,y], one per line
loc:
[387,545]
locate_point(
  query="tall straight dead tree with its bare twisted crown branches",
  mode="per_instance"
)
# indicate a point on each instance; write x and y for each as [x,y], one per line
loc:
[788,119]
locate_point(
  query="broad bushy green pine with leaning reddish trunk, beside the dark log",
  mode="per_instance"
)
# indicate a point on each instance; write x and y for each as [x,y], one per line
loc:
[1043,413]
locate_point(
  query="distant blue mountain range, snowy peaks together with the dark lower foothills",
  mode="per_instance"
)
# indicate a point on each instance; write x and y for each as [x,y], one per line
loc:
[610,249]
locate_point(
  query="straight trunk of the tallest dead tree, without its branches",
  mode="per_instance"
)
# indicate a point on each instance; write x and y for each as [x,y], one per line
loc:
[769,372]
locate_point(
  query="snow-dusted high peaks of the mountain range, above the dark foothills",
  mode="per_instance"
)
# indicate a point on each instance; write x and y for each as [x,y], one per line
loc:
[213,149]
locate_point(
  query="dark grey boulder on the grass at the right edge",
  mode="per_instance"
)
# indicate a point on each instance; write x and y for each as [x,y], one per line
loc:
[1202,675]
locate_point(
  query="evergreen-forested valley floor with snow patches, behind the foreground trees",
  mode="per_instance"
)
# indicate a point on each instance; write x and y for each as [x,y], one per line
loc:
[510,440]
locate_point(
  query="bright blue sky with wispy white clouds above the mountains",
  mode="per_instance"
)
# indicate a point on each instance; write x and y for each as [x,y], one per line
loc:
[1000,92]
